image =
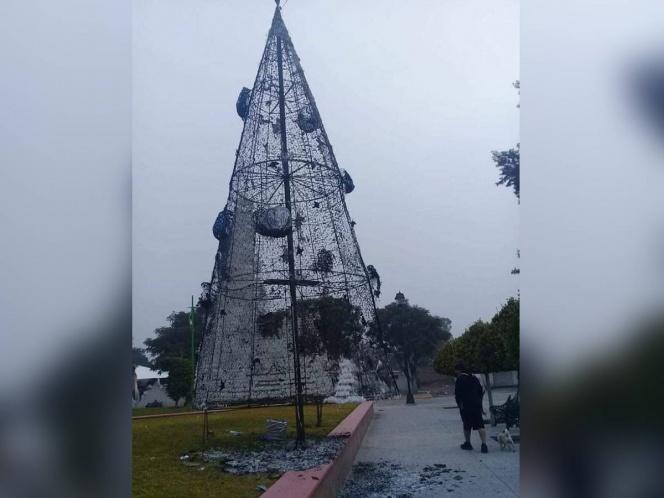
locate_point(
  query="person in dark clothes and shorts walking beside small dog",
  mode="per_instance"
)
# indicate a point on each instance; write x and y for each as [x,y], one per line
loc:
[468,393]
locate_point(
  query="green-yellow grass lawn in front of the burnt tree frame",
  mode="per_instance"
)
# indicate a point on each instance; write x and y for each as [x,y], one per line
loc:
[158,443]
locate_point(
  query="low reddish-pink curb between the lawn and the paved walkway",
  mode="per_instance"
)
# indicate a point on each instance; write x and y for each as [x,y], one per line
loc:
[326,481]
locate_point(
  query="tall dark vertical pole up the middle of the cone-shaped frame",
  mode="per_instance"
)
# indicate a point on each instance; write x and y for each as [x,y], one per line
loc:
[299,402]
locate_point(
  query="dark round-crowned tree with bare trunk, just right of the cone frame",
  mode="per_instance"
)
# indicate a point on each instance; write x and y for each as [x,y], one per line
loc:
[411,334]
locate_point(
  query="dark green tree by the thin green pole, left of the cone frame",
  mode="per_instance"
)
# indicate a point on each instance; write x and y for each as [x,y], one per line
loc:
[171,348]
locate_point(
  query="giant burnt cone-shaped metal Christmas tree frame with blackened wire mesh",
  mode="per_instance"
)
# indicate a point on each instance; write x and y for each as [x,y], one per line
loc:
[284,160]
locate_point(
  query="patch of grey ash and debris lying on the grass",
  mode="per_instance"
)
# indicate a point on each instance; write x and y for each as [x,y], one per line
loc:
[271,459]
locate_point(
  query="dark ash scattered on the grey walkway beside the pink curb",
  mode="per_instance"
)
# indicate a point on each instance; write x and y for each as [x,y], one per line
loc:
[390,480]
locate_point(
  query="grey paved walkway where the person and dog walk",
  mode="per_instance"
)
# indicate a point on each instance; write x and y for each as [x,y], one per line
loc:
[417,437]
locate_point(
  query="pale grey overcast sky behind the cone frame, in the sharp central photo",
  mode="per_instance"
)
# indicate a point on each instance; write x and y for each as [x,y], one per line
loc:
[413,98]
